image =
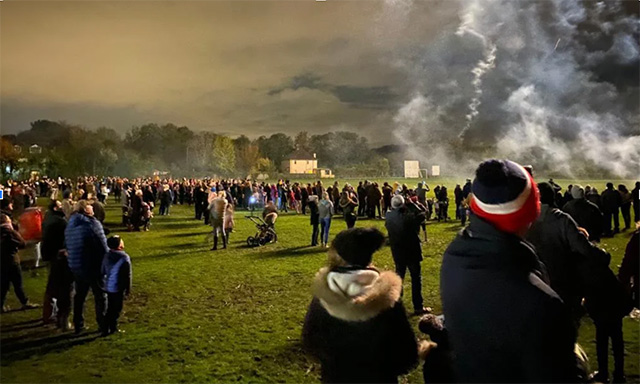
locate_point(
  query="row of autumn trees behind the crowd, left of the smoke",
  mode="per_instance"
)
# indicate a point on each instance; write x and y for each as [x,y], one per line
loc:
[72,150]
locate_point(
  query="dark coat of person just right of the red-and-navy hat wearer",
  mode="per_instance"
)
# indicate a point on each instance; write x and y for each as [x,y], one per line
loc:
[567,254]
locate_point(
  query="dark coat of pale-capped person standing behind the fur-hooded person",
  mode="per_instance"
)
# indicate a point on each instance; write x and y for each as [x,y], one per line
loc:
[403,228]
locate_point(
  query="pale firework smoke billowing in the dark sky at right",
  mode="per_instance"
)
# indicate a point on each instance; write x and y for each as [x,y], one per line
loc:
[553,84]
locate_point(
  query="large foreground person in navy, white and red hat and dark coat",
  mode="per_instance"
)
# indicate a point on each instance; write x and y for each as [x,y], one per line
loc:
[504,322]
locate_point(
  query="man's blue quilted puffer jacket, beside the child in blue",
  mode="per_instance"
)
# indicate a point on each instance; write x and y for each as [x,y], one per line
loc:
[86,245]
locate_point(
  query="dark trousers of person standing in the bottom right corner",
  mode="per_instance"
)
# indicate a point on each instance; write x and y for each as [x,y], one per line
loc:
[605,330]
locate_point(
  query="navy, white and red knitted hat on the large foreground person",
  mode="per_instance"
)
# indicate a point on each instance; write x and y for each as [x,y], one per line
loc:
[505,194]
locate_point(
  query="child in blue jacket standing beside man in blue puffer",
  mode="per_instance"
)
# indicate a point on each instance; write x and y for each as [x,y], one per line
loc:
[116,268]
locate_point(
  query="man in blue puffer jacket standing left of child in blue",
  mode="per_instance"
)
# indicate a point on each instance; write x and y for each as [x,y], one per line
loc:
[86,246]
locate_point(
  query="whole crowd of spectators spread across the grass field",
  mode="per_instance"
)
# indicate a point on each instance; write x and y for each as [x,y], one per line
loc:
[515,282]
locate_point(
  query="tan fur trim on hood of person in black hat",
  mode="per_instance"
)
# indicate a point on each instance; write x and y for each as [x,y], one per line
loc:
[380,293]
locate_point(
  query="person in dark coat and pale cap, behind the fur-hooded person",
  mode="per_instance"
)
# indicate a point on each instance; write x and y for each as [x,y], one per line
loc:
[403,227]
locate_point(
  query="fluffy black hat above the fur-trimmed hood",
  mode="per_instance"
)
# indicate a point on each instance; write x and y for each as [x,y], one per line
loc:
[357,245]
